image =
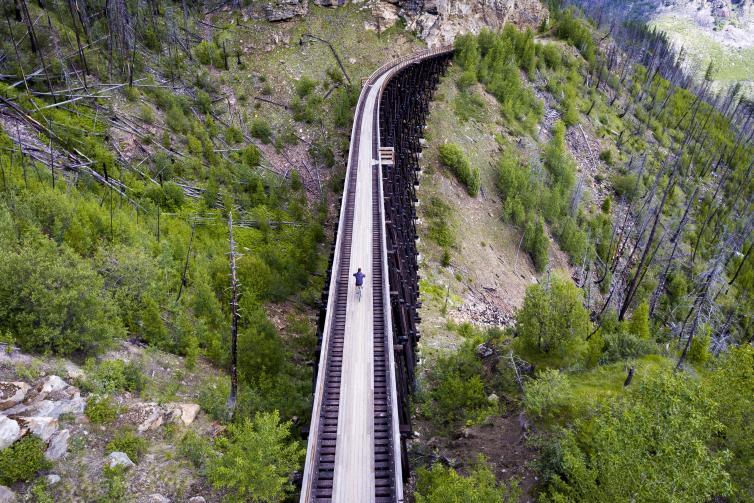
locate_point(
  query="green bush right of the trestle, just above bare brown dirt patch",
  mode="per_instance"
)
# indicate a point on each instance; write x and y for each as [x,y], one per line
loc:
[455,393]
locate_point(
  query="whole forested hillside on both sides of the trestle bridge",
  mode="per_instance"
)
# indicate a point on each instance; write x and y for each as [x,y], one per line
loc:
[169,177]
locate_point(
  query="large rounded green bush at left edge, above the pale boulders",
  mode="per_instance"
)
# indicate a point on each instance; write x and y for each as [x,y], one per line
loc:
[56,303]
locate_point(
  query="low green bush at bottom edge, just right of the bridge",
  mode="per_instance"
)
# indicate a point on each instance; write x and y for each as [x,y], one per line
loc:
[443,484]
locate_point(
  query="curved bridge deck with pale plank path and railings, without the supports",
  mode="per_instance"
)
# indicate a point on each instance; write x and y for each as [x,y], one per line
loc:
[354,446]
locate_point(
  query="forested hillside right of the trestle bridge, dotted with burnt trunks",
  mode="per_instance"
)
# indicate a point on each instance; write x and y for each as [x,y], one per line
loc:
[626,373]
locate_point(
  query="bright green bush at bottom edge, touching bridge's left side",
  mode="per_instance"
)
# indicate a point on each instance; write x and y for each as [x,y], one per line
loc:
[256,460]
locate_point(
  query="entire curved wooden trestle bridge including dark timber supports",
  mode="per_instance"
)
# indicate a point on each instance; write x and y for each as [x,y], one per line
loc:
[364,372]
